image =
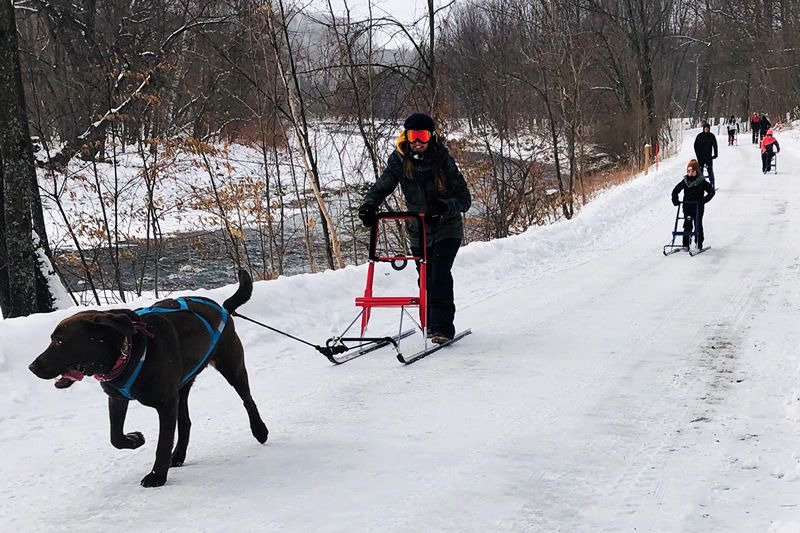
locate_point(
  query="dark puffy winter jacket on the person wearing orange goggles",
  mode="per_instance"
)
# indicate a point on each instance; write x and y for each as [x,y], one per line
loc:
[420,190]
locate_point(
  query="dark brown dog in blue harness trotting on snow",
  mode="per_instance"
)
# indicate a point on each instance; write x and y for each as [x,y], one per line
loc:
[153,355]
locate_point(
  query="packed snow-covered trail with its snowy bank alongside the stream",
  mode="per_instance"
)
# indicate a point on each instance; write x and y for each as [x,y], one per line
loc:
[605,388]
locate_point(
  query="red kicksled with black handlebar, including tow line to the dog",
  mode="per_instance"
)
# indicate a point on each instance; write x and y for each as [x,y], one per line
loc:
[342,348]
